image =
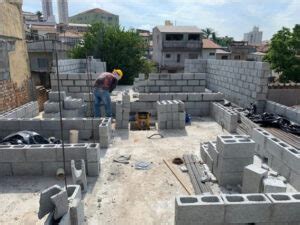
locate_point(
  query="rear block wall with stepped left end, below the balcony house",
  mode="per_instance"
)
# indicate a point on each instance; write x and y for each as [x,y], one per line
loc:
[168,82]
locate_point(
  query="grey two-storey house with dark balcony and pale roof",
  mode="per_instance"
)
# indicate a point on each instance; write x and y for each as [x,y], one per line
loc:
[173,44]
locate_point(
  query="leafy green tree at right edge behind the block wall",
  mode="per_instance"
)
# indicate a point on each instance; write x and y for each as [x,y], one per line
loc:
[283,54]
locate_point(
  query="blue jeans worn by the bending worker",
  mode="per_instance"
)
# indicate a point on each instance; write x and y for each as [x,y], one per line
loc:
[102,96]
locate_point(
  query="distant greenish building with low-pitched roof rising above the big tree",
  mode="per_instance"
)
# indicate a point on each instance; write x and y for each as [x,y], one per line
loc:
[95,15]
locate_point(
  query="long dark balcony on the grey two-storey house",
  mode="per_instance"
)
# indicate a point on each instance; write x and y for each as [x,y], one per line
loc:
[182,45]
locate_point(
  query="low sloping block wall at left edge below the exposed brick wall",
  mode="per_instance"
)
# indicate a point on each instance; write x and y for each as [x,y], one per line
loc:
[28,110]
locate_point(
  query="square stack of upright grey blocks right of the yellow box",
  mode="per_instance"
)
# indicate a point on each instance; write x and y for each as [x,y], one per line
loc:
[170,114]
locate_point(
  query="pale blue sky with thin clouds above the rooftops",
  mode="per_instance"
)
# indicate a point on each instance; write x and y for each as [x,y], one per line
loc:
[226,17]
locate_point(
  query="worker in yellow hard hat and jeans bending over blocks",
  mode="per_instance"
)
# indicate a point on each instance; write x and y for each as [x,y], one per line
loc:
[103,86]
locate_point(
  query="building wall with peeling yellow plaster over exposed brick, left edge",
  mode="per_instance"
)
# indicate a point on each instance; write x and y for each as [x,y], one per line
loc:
[14,64]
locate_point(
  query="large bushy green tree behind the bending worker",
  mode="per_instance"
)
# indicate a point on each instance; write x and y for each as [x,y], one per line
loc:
[117,47]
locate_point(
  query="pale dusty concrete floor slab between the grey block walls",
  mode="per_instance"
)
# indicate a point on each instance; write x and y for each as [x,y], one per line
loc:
[120,195]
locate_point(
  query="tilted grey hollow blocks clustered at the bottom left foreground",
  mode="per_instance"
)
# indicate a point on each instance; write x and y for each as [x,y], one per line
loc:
[64,207]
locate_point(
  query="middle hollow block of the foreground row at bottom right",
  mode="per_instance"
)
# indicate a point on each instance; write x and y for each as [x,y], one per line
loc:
[246,208]
